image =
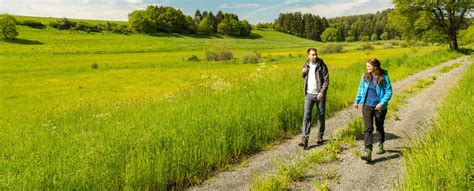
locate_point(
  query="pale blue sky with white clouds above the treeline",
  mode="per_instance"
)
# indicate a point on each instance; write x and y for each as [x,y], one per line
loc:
[254,11]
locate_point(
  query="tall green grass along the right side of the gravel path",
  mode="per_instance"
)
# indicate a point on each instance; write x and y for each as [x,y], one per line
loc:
[444,158]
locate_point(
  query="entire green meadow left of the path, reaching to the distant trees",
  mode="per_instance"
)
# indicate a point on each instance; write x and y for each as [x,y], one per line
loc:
[110,111]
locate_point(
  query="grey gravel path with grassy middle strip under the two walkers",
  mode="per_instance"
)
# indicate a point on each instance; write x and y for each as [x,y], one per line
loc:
[353,174]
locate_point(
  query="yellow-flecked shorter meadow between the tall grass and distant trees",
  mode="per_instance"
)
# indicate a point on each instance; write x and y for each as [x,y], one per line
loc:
[77,67]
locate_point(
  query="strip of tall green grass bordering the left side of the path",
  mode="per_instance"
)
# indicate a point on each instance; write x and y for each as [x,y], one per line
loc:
[173,143]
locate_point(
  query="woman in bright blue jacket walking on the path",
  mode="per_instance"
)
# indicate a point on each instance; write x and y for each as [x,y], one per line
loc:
[373,94]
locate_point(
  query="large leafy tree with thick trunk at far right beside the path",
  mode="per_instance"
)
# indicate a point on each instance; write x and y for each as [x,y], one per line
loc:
[415,18]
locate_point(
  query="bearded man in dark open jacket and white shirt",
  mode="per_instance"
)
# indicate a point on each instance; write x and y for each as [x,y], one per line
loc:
[316,82]
